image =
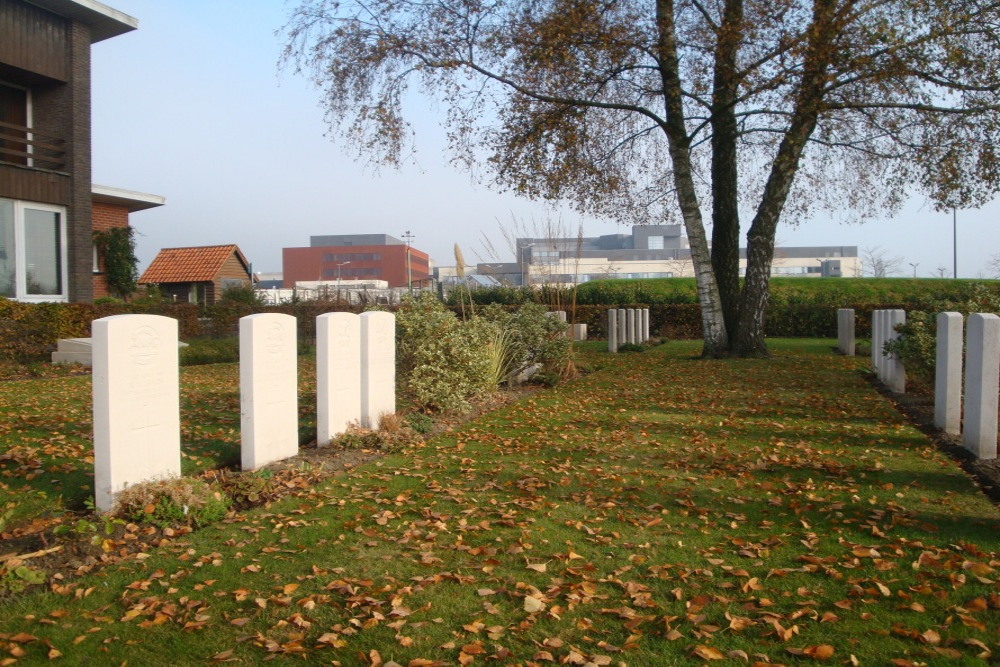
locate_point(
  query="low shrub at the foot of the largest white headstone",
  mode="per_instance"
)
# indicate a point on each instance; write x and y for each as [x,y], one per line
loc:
[181,501]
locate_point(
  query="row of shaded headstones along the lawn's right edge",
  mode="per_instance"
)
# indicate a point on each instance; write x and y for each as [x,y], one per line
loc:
[981,343]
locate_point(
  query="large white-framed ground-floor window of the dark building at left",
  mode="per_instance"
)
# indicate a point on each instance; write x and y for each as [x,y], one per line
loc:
[32,251]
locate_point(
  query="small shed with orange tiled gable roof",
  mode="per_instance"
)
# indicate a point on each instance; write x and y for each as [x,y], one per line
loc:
[198,274]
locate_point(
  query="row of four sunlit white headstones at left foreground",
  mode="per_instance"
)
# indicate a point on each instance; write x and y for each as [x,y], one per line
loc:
[136,390]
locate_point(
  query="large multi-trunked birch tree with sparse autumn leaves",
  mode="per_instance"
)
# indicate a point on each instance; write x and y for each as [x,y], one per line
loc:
[689,110]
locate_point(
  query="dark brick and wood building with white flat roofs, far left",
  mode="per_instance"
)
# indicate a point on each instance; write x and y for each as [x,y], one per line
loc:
[47,199]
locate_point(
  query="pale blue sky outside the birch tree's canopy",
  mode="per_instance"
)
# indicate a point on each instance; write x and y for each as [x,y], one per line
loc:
[192,107]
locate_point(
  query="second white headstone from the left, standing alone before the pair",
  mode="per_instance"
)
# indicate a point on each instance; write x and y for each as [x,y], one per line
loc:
[269,404]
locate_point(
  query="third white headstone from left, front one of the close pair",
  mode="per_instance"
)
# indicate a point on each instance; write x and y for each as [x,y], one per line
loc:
[338,374]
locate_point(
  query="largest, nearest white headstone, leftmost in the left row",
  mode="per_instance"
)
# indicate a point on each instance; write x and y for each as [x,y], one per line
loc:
[136,403]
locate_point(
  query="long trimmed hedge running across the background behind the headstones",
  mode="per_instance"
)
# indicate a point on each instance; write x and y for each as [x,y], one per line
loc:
[799,307]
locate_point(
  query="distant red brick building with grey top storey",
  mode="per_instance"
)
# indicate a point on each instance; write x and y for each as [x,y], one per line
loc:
[355,257]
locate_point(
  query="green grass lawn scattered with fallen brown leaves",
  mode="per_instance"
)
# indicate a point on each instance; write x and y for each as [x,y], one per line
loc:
[661,510]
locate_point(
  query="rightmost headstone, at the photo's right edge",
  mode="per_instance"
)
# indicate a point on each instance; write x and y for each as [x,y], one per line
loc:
[982,377]
